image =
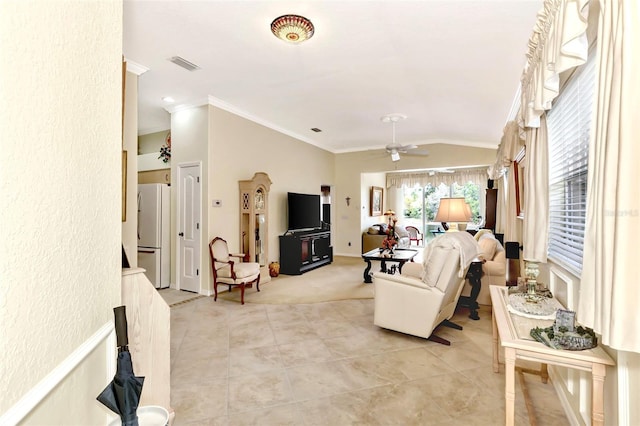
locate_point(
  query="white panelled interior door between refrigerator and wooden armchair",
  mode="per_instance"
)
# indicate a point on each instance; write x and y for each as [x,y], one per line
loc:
[188,227]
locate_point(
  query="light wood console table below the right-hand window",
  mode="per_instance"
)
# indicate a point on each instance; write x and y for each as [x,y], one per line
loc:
[511,332]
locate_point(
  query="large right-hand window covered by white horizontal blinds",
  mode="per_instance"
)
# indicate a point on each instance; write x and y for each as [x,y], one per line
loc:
[569,124]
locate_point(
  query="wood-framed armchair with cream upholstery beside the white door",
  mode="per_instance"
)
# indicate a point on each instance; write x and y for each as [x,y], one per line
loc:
[230,272]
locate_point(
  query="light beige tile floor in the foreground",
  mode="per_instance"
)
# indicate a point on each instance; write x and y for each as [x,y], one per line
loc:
[327,364]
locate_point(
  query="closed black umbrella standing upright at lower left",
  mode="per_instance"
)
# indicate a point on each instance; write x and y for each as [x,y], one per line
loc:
[122,395]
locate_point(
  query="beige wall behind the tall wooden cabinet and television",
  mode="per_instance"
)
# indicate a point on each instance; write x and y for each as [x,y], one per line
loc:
[240,148]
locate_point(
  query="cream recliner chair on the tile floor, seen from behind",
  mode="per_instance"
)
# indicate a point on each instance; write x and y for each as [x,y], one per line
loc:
[425,295]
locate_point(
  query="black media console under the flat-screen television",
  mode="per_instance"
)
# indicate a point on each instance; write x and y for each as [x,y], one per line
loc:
[301,251]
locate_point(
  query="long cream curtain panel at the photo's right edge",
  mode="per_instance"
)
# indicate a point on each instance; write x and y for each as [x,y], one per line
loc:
[609,289]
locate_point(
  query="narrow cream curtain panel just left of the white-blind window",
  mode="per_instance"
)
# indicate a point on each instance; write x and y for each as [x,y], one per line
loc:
[535,227]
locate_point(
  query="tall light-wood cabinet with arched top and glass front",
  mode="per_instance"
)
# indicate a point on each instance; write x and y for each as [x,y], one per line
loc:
[254,219]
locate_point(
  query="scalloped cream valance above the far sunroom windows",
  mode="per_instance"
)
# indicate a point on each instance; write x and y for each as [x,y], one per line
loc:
[477,175]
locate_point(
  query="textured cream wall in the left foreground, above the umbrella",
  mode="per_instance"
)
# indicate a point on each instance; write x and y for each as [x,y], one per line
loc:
[60,179]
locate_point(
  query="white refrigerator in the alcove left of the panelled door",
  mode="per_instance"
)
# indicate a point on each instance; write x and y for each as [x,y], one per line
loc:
[154,224]
